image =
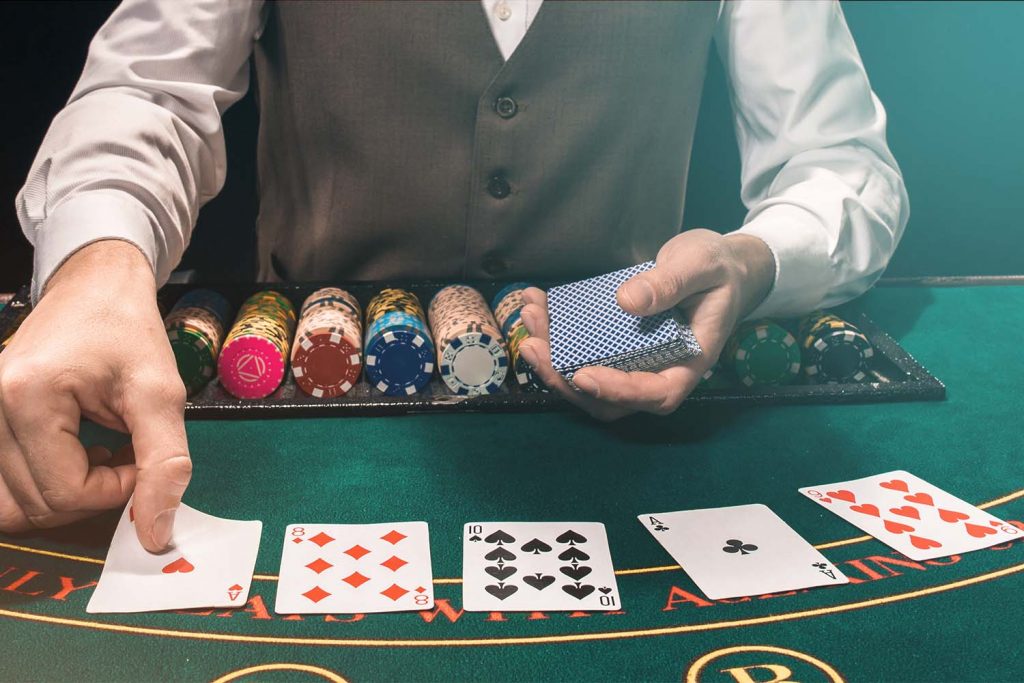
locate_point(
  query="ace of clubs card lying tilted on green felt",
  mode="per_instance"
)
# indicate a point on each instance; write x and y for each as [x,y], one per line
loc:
[742,550]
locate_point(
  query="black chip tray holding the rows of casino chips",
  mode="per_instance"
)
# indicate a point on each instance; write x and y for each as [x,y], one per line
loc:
[897,376]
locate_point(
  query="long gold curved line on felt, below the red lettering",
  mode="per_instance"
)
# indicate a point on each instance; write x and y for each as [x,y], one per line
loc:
[470,643]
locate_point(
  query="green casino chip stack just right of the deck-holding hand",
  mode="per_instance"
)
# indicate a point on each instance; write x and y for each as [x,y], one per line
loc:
[763,353]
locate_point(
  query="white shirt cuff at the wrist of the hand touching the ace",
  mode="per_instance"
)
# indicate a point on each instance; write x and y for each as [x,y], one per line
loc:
[87,219]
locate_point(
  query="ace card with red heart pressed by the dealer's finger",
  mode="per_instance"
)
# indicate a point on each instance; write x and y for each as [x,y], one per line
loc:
[210,565]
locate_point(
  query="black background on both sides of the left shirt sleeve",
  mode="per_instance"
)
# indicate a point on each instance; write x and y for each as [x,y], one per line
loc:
[44,48]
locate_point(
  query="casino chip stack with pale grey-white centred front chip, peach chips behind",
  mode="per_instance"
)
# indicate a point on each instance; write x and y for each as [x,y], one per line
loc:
[472,354]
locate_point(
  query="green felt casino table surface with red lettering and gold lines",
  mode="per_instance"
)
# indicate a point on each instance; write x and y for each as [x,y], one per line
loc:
[954,619]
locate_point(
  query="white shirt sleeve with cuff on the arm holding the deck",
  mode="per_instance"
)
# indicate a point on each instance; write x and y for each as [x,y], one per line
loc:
[823,189]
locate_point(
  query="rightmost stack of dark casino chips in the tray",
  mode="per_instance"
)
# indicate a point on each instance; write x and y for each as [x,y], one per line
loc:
[835,351]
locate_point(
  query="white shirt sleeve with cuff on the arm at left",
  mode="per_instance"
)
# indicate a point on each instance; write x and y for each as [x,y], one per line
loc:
[140,147]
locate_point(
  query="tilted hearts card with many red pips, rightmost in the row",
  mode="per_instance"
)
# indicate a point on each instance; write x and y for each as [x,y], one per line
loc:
[912,516]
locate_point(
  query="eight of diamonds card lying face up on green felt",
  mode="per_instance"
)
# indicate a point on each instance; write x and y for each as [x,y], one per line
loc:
[350,569]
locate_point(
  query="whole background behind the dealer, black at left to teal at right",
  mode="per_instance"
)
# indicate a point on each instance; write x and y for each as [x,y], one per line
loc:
[951,74]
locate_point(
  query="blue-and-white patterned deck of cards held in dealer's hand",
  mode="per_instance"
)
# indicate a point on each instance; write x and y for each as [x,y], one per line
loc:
[589,328]
